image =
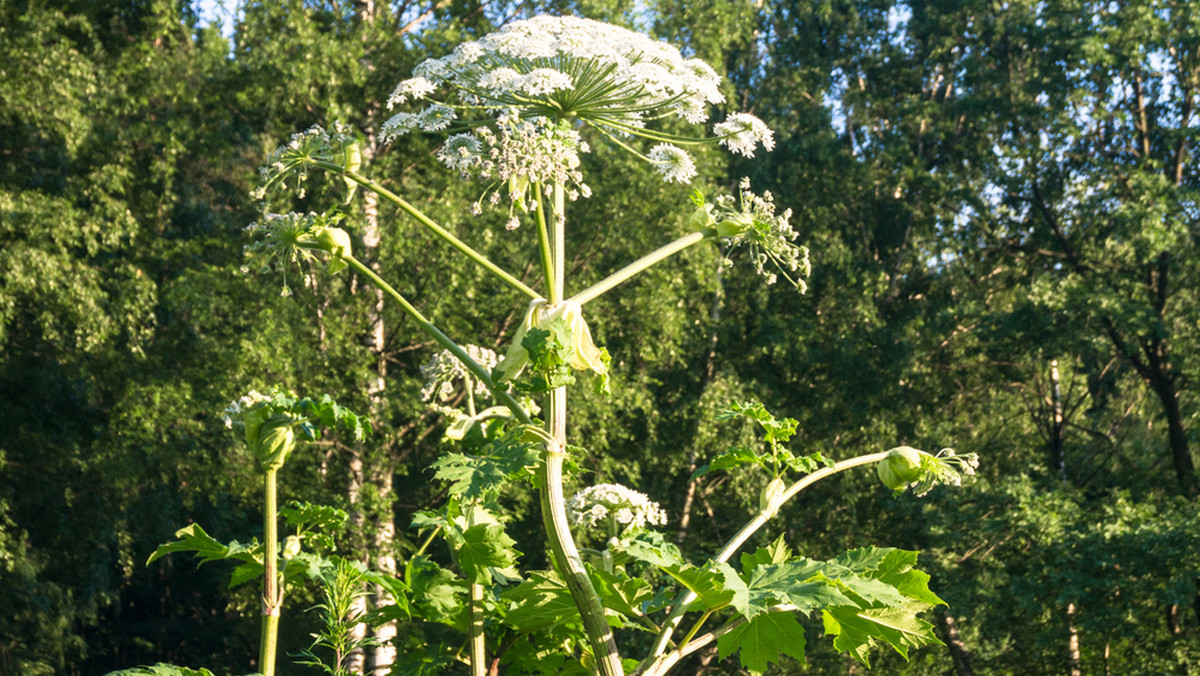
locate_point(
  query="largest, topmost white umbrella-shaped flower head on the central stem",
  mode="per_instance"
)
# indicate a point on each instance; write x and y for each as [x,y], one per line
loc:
[530,88]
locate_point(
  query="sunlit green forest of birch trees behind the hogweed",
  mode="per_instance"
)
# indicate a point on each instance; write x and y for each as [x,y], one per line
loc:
[1001,200]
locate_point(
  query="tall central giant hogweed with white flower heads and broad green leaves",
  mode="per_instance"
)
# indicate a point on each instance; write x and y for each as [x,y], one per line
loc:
[518,110]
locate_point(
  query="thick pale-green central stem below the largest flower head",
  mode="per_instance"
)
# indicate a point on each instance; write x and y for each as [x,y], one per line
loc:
[554,504]
